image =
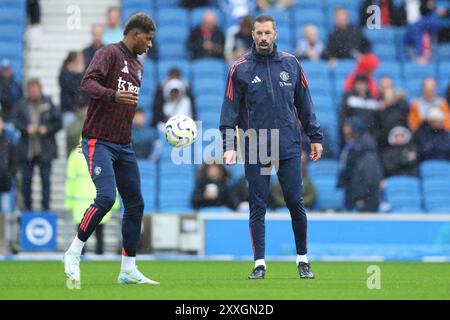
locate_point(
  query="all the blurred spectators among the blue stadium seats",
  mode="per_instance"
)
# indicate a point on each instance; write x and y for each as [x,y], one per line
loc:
[383,132]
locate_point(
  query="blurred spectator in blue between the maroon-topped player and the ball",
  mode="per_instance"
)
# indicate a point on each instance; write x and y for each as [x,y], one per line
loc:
[145,139]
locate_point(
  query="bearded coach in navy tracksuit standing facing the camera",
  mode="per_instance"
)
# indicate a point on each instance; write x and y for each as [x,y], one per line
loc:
[267,89]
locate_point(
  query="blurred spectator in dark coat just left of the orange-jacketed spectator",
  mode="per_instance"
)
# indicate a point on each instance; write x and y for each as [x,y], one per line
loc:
[393,111]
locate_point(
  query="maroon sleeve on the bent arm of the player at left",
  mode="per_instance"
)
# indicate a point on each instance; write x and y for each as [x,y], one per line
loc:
[97,73]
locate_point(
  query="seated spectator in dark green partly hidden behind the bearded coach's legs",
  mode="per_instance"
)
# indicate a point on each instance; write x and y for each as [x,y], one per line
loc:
[276,199]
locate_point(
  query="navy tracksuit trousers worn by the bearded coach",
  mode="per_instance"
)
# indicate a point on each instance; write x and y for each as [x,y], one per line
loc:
[290,177]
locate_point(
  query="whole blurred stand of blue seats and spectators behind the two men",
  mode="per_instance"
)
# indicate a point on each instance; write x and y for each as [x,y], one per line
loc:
[381,94]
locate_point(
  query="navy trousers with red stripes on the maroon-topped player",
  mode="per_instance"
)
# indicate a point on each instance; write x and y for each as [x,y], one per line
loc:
[114,165]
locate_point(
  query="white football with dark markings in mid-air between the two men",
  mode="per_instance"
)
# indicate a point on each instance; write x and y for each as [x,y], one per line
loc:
[180,131]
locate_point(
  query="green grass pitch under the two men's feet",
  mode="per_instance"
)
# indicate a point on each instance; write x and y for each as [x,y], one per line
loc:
[226,280]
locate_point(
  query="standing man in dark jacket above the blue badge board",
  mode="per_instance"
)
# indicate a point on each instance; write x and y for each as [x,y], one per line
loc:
[38,121]
